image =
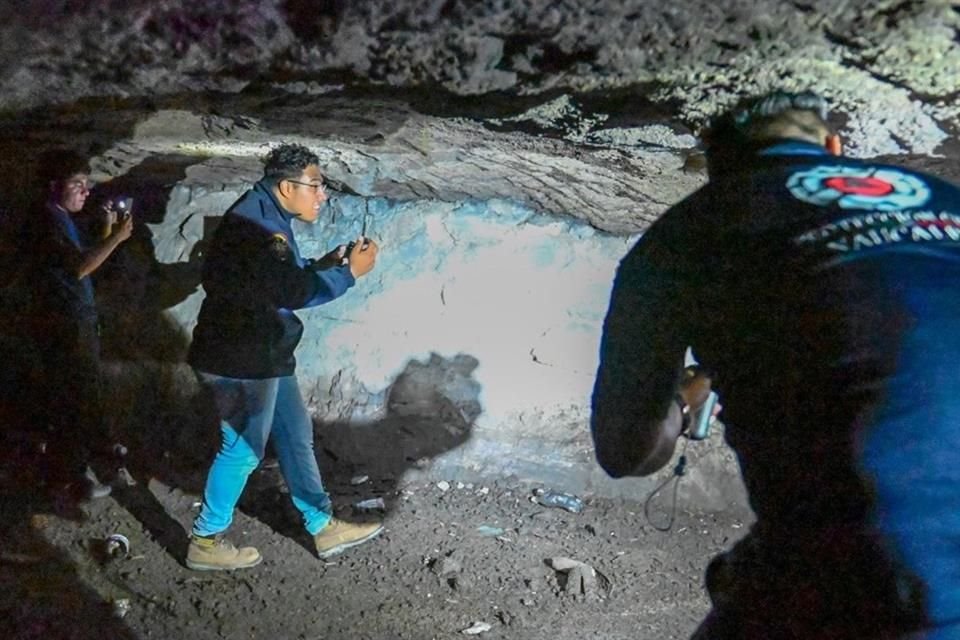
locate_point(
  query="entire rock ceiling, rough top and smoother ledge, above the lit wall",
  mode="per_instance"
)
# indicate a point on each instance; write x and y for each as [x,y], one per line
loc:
[586,109]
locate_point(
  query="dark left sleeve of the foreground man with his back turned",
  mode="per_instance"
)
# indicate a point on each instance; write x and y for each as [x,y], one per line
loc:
[634,419]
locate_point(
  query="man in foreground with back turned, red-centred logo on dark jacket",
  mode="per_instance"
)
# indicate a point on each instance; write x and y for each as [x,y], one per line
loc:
[825,292]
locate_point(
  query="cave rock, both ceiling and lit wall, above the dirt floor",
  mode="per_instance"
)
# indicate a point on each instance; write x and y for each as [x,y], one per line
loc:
[506,153]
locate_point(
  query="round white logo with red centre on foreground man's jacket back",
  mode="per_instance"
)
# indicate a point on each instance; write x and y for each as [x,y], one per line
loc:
[859,188]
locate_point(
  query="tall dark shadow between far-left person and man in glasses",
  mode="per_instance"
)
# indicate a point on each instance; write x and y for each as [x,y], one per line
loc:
[142,350]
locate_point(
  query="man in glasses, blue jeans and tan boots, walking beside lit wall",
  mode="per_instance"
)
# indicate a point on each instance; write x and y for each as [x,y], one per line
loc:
[243,352]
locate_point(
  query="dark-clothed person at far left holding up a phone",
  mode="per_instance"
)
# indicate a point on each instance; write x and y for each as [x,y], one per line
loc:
[64,323]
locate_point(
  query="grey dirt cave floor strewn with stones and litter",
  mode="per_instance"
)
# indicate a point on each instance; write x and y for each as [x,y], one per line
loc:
[452,555]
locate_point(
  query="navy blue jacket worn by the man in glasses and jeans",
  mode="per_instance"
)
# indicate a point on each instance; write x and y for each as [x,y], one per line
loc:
[254,278]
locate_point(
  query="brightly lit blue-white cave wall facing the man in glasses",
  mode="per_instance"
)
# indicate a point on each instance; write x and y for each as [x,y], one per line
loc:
[522,292]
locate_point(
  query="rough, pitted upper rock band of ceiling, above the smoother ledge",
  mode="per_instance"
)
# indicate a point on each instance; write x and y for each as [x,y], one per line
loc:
[891,66]
